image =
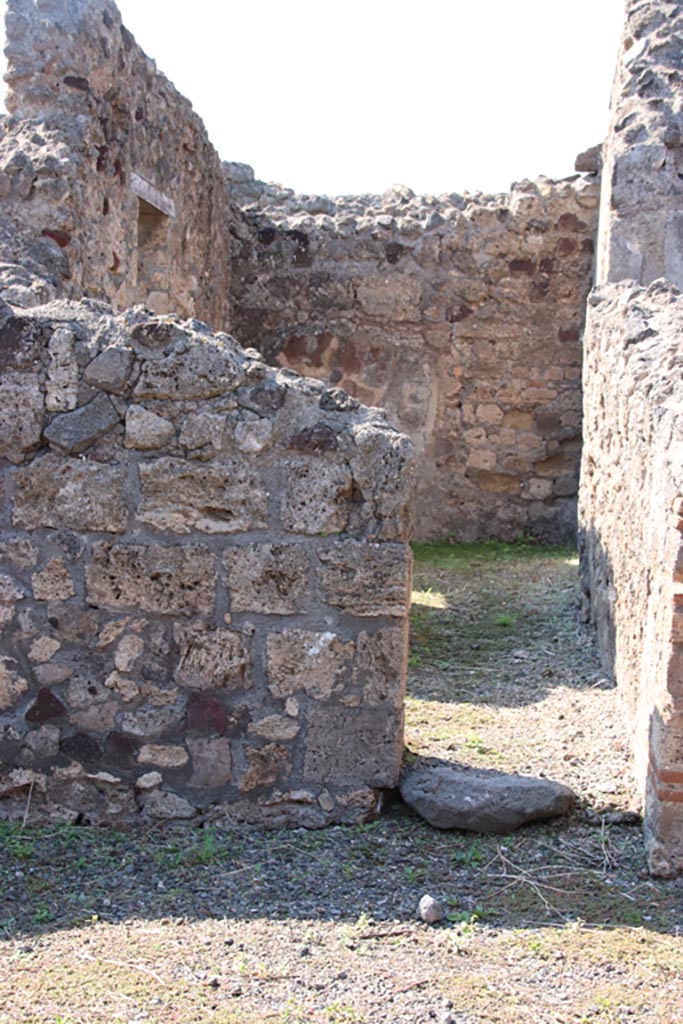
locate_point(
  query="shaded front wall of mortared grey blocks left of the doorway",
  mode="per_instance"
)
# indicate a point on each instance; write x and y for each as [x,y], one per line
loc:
[204,578]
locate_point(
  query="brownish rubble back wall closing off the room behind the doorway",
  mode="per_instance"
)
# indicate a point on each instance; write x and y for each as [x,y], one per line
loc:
[461,316]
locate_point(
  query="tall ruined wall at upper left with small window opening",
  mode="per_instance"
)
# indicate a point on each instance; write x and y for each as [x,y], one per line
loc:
[106,170]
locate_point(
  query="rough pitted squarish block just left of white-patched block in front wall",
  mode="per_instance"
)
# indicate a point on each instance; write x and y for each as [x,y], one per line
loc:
[211,659]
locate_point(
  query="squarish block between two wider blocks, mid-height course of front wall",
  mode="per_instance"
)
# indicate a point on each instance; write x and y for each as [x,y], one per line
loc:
[268,578]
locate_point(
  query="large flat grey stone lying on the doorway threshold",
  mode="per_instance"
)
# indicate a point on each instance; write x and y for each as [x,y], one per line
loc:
[448,797]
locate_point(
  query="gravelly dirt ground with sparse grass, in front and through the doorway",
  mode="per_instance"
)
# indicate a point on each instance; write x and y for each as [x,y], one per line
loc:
[557,924]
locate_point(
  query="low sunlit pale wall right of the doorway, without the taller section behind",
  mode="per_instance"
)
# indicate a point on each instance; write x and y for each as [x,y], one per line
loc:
[631,529]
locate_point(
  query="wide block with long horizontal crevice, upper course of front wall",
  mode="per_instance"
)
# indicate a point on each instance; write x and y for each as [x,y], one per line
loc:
[216,498]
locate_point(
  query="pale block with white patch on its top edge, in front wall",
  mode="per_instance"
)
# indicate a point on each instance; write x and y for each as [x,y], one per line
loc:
[300,660]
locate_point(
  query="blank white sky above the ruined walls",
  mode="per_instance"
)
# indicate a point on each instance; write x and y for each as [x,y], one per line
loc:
[354,97]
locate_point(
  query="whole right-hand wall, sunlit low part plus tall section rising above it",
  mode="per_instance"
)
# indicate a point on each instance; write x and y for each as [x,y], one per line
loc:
[632,478]
